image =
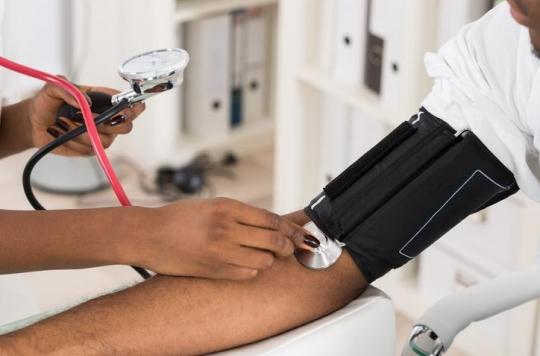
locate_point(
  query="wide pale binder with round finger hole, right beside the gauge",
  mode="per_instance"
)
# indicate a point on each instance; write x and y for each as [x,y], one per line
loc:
[208,78]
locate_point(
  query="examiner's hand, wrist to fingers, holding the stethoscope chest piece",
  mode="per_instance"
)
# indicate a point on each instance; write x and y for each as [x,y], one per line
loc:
[218,238]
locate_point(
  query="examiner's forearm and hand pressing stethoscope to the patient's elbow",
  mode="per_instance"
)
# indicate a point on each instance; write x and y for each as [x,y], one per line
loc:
[217,238]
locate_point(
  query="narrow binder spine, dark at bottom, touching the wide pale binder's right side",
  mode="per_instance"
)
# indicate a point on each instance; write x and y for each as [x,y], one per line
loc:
[239,56]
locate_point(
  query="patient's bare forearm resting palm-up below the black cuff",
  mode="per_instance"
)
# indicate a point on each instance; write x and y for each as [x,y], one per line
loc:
[192,316]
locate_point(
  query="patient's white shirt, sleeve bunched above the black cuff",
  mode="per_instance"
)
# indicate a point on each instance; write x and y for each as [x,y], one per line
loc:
[487,80]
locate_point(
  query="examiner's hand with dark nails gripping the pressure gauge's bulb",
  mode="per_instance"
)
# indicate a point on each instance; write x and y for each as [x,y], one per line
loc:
[42,111]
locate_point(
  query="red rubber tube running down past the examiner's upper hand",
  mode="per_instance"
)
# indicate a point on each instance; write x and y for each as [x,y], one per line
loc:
[88,120]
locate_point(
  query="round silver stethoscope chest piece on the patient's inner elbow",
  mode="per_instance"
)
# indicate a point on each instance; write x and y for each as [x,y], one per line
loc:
[322,257]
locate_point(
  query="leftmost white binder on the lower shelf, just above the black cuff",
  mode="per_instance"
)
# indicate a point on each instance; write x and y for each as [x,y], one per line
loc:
[334,139]
